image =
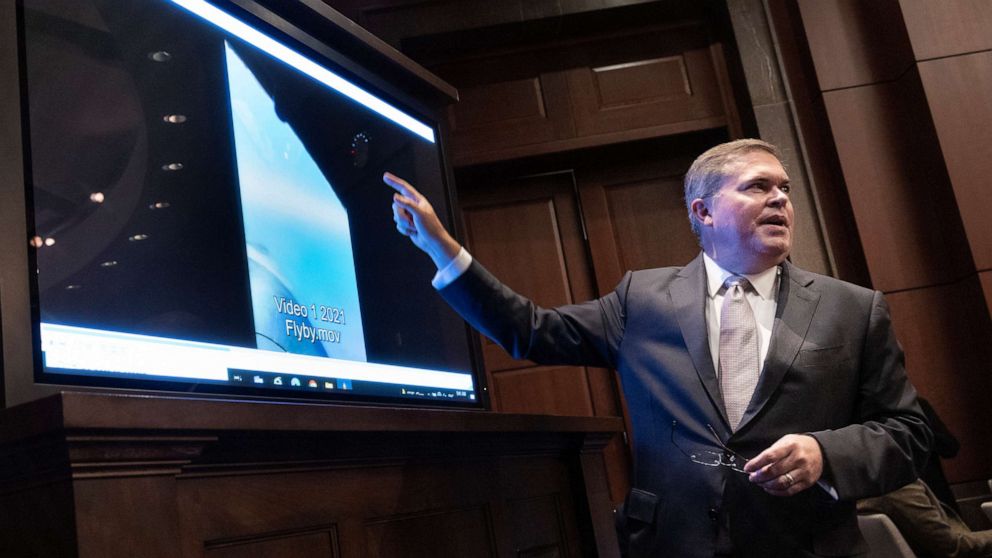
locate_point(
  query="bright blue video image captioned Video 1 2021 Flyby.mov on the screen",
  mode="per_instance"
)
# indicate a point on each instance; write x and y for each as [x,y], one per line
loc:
[301,234]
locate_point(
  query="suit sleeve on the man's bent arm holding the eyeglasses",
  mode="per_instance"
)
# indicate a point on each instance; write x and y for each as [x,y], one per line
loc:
[888,446]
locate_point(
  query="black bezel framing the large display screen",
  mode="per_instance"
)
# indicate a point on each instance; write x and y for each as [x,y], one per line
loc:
[23,385]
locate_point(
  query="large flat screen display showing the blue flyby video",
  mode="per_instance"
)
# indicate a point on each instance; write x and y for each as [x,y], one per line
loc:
[208,212]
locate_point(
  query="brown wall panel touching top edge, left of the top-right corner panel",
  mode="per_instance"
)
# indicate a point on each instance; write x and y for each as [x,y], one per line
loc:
[853,42]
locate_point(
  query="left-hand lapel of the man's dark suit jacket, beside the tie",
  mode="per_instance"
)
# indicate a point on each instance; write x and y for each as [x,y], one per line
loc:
[688,295]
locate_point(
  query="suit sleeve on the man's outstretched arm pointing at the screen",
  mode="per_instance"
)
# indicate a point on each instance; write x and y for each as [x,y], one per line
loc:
[579,334]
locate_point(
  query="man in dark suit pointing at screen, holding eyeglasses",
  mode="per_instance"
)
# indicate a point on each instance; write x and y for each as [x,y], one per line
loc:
[764,399]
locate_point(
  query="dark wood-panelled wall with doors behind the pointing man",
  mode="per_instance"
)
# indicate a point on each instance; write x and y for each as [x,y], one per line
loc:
[578,117]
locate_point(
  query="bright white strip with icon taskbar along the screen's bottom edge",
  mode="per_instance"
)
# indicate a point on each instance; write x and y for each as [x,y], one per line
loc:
[105,356]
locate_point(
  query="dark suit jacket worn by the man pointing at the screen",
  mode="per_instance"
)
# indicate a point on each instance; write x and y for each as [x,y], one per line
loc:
[833,370]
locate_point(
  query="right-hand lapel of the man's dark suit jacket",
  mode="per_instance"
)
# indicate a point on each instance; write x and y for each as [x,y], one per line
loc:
[796,305]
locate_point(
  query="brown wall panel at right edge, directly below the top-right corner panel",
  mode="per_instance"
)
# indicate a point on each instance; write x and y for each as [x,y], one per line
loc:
[958,90]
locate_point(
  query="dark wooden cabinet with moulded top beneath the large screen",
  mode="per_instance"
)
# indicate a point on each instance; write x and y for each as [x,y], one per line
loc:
[125,476]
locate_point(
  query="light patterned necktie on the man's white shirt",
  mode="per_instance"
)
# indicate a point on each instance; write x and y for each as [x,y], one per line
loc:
[739,351]
